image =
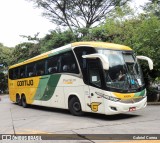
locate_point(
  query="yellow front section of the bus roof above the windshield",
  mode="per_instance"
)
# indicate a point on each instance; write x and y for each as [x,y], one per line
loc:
[102,45]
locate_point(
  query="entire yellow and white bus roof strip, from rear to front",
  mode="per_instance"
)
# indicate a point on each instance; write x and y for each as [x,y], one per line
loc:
[75,44]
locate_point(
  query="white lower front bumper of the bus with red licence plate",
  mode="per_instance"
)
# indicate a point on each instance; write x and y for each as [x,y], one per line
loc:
[112,107]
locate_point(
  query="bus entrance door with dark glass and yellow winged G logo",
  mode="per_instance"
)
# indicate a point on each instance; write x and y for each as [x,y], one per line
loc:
[95,80]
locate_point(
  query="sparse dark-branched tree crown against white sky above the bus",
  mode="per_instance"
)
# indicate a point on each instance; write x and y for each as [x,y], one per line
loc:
[77,13]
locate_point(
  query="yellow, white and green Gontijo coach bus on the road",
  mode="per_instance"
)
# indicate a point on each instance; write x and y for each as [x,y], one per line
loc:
[96,77]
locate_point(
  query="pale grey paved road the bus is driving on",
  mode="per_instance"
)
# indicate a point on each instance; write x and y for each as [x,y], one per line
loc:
[15,119]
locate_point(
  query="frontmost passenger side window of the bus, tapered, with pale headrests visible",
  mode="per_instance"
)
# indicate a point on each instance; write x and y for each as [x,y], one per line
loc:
[68,63]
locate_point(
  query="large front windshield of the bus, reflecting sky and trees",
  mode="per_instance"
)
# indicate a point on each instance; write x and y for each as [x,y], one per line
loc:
[124,70]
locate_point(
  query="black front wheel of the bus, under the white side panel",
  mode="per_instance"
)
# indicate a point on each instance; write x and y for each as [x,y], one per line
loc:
[75,106]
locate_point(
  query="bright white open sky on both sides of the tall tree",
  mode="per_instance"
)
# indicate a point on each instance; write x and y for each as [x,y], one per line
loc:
[19,17]
